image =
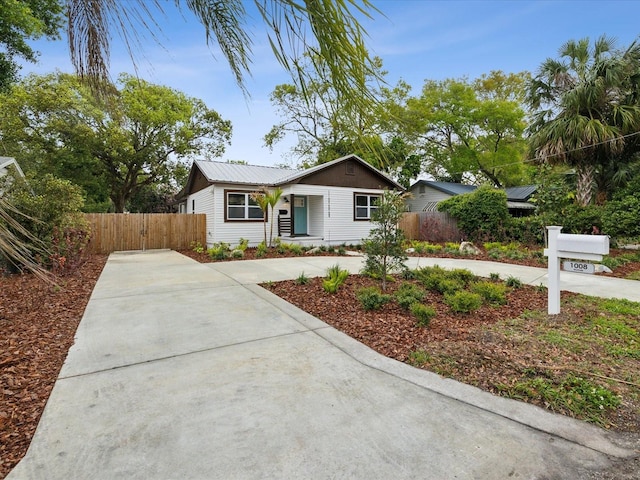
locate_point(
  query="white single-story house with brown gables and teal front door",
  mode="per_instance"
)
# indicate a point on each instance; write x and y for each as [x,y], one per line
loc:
[328,204]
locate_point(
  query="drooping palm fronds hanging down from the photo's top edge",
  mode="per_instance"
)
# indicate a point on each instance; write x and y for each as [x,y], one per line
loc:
[339,37]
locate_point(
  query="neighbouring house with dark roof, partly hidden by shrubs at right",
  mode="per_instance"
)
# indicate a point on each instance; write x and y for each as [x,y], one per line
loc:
[426,194]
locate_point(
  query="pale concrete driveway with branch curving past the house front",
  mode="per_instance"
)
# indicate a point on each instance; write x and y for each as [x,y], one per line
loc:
[183,370]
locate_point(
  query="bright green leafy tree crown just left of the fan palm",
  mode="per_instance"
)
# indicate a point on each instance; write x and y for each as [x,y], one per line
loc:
[466,130]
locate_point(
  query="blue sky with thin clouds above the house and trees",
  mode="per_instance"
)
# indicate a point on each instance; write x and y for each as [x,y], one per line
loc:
[417,40]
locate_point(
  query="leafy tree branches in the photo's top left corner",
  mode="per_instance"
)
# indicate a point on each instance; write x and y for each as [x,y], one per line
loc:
[21,21]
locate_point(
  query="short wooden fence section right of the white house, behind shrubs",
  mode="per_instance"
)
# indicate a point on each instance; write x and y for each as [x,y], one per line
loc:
[430,227]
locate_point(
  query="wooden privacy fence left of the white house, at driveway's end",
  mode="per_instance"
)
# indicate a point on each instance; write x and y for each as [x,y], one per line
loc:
[112,232]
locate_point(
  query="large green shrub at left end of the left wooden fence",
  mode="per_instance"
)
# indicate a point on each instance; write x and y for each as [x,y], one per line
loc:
[50,211]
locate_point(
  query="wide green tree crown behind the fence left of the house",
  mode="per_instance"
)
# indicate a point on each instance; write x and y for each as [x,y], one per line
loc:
[119,146]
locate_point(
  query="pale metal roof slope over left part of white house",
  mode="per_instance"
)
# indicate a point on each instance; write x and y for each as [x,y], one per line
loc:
[222,172]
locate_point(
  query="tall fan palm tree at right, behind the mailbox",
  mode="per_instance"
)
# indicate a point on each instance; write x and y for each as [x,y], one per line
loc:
[587,103]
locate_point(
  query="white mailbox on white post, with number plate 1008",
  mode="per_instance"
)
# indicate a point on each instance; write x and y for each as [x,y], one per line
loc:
[563,245]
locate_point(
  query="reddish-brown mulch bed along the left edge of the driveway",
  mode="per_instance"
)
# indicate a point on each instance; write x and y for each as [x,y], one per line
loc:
[38,322]
